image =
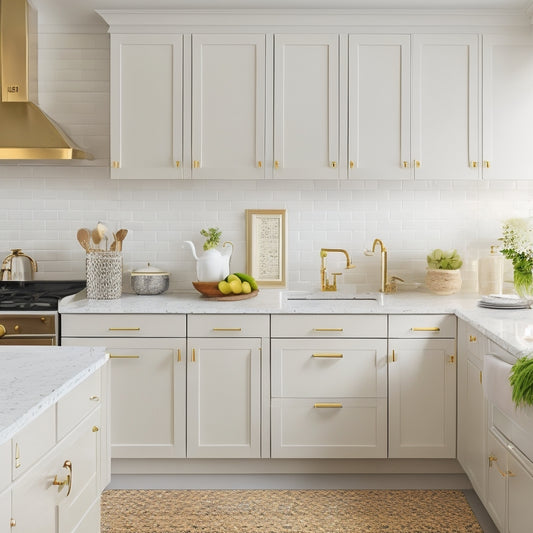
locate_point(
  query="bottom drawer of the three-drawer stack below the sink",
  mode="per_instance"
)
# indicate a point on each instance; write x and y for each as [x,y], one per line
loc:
[348,428]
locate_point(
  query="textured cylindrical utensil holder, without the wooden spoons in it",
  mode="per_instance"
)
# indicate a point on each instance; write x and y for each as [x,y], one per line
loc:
[104,275]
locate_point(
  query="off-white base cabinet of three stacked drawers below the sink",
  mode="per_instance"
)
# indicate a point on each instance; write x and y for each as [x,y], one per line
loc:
[328,390]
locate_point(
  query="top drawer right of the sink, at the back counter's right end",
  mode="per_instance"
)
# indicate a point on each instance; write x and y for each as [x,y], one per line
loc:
[422,326]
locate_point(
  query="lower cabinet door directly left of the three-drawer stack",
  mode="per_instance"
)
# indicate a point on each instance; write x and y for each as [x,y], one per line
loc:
[224,398]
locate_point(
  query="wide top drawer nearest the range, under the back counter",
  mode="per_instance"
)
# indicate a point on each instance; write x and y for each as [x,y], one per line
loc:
[123,325]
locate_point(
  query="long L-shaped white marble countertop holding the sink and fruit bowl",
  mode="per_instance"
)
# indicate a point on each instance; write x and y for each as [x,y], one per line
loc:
[511,329]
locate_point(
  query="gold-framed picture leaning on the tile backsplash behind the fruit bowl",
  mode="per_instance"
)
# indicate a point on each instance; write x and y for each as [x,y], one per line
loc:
[266,246]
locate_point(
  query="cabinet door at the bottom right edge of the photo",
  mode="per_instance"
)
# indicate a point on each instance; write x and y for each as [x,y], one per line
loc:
[520,490]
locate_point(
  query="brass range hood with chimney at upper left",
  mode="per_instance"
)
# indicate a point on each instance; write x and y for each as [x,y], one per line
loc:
[25,131]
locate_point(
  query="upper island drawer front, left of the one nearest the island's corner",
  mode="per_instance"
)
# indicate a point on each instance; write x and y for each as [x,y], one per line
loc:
[33,441]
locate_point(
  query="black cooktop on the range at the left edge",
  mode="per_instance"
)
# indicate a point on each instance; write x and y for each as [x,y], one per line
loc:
[41,295]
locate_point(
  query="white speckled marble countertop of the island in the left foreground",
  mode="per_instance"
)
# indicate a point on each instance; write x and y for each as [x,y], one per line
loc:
[32,378]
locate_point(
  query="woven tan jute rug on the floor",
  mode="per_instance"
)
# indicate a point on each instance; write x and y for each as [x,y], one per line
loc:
[287,511]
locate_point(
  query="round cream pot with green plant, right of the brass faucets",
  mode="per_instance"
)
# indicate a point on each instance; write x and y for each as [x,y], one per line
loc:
[443,274]
